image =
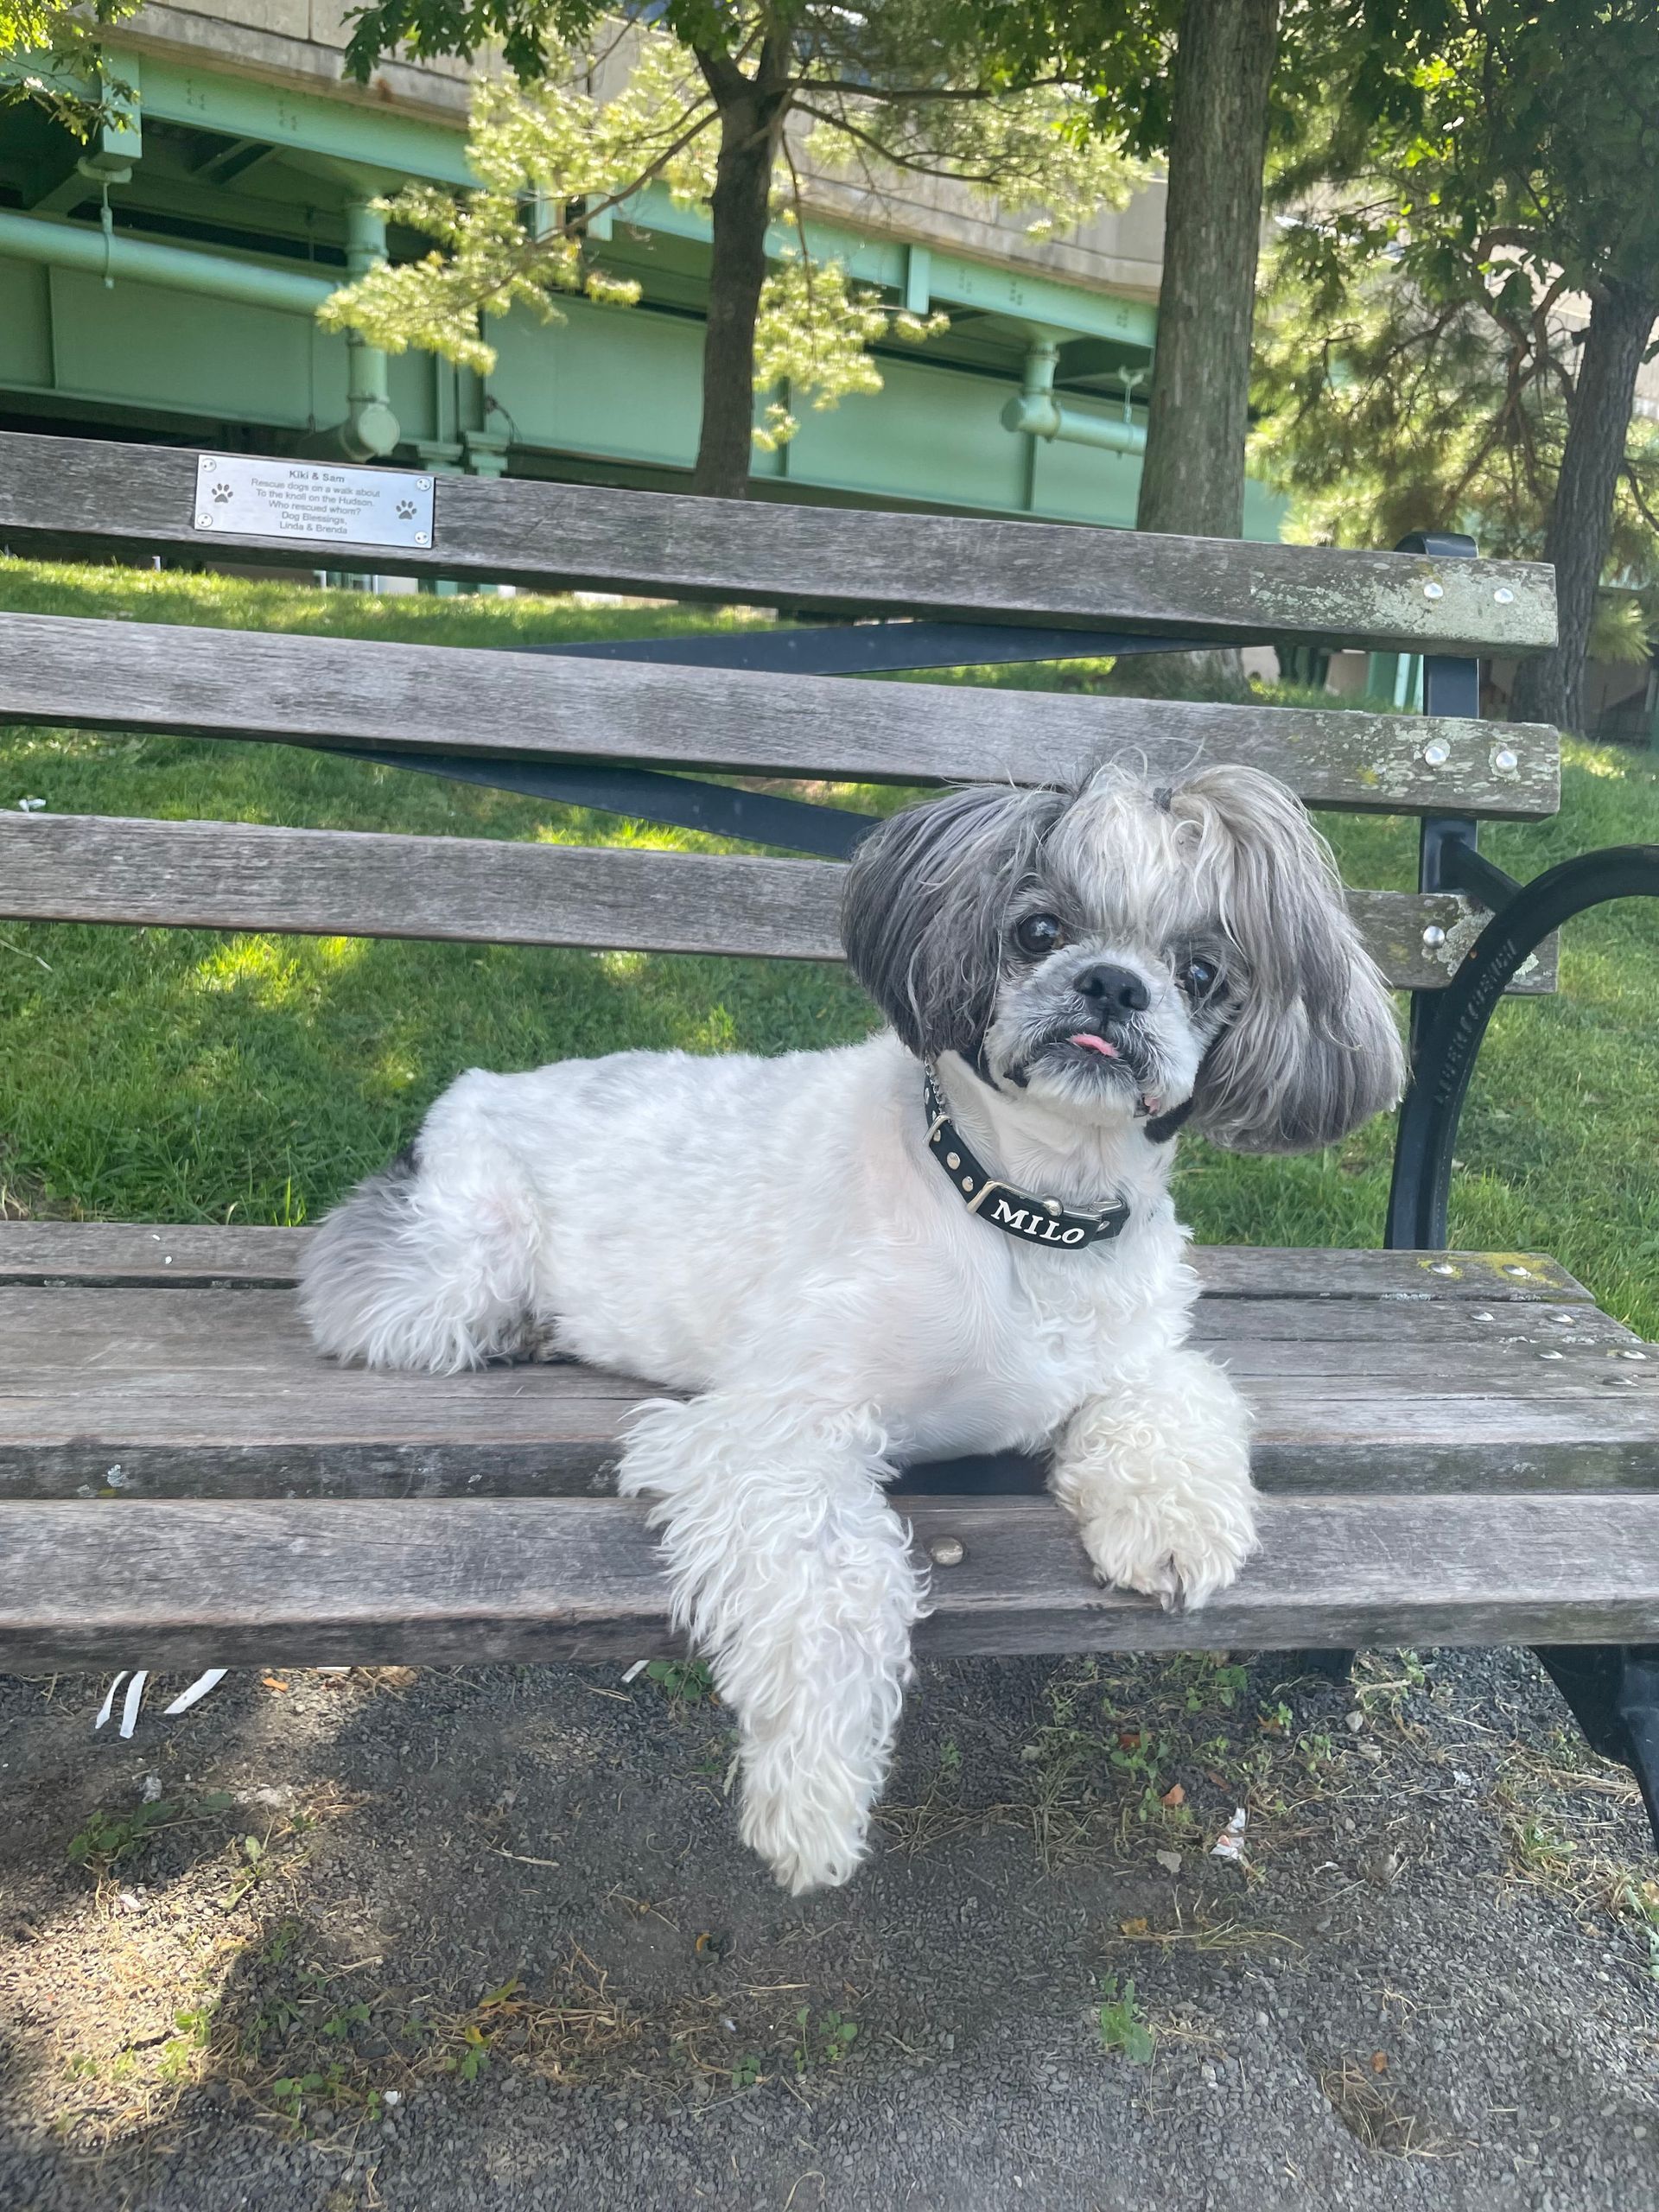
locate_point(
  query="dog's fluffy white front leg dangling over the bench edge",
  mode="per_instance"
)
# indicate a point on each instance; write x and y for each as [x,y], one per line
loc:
[793,1574]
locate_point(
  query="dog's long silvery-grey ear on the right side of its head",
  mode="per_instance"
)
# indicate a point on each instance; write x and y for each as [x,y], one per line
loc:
[1311,1047]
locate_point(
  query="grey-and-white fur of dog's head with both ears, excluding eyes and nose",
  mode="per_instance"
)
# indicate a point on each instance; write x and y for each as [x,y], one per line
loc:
[1300,1041]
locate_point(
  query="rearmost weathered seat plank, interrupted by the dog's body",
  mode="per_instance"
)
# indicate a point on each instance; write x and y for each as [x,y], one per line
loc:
[194,1253]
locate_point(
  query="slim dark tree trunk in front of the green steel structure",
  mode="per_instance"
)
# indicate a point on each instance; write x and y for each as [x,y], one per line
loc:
[751,123]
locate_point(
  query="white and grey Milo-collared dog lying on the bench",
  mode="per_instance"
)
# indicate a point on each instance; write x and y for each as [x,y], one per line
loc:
[851,1262]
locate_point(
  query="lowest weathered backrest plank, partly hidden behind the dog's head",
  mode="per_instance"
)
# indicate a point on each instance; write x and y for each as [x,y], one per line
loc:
[90,868]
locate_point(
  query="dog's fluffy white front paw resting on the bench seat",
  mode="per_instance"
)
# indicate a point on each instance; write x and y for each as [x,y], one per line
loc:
[1156,1470]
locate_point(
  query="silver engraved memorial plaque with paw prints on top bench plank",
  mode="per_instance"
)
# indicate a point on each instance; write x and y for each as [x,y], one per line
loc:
[249,497]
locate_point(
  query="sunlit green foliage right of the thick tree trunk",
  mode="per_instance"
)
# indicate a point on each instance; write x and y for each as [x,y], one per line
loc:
[1439,249]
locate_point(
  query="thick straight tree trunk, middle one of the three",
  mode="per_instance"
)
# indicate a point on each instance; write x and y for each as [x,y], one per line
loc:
[1196,430]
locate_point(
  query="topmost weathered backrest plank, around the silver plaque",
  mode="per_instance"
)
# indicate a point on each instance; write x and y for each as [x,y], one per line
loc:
[954,567]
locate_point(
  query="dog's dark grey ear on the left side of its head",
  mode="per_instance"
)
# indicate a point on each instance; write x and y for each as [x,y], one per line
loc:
[926,906]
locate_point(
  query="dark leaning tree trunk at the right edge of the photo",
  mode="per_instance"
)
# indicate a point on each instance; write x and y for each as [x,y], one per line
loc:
[1552,687]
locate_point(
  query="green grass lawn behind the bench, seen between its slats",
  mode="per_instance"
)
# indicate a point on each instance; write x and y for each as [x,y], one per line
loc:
[200,1078]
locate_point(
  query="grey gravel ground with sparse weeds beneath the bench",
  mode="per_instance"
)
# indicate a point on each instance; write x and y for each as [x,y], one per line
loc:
[444,1941]
